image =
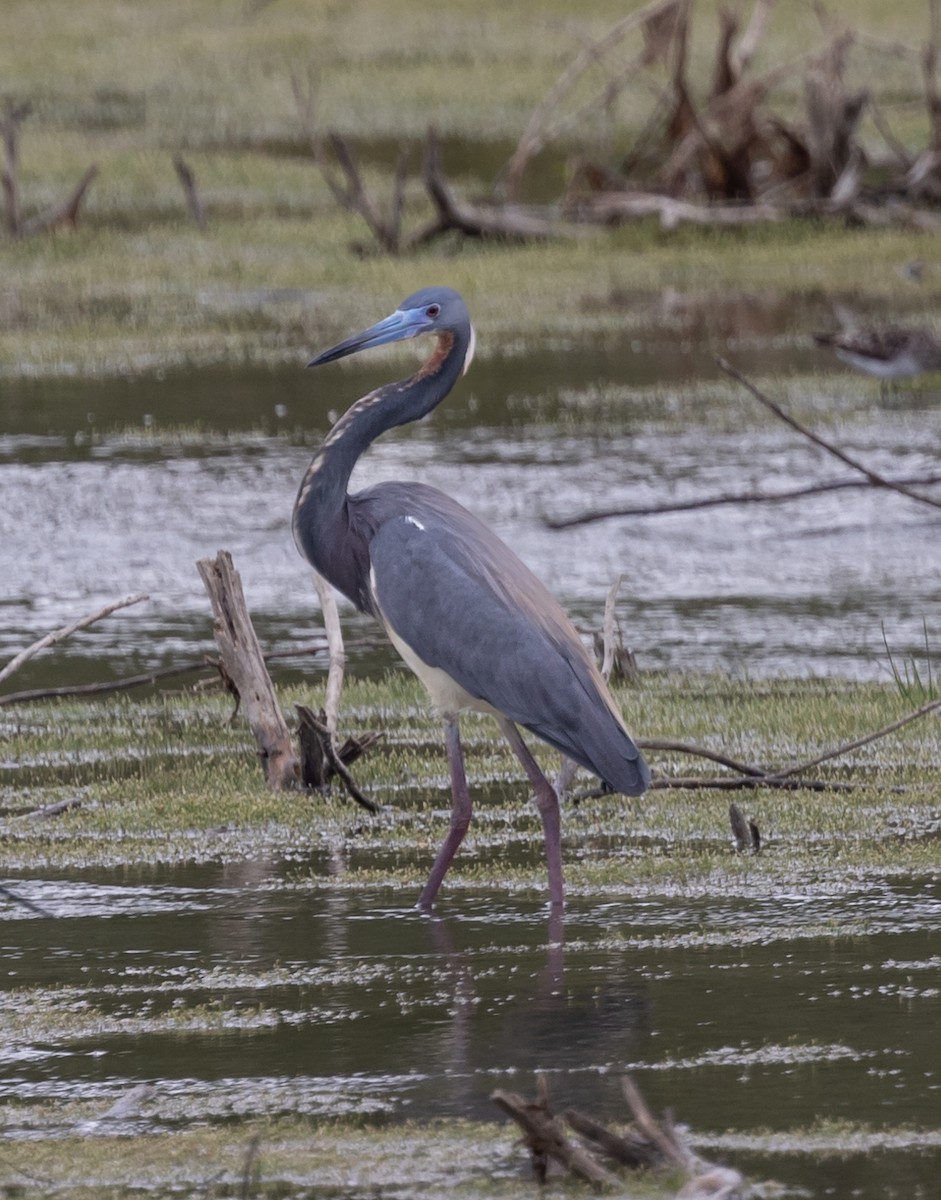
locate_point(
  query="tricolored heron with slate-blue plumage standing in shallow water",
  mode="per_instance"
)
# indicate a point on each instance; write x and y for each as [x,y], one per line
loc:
[474,623]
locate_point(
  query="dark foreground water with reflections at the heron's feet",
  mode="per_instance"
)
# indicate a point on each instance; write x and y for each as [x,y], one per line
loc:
[263,989]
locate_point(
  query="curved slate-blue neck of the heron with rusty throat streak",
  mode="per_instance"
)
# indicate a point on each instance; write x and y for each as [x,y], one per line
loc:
[321,512]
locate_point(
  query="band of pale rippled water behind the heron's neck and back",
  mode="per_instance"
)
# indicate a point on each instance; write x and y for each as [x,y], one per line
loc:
[97,502]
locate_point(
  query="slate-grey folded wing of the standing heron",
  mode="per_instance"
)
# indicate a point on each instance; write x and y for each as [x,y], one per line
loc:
[465,604]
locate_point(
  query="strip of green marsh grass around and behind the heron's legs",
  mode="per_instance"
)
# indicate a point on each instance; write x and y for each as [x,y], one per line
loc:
[169,779]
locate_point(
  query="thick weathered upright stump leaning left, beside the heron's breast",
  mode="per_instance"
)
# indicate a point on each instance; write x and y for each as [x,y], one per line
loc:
[244,663]
